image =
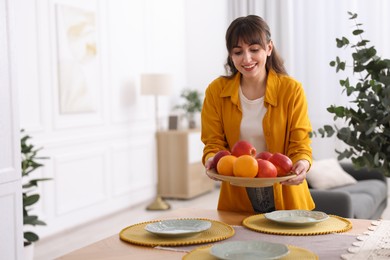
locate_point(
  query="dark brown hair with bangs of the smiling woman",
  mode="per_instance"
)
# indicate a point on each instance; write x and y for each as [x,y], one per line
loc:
[252,29]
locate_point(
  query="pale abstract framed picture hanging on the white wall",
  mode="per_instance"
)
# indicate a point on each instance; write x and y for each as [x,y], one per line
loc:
[77,57]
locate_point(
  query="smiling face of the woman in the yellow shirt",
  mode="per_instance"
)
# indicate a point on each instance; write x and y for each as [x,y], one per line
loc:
[250,60]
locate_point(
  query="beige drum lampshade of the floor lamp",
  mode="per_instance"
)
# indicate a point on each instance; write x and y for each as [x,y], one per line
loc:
[156,84]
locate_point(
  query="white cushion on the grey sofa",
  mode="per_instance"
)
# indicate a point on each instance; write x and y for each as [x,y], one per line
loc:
[327,174]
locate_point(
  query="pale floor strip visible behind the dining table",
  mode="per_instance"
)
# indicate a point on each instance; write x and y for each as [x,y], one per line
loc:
[53,247]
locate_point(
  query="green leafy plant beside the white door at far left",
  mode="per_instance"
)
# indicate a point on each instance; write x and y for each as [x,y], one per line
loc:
[29,163]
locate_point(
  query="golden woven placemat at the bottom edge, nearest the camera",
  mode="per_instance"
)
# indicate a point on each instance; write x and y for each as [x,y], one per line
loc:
[296,253]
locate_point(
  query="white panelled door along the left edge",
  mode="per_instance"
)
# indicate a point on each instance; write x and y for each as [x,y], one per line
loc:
[11,221]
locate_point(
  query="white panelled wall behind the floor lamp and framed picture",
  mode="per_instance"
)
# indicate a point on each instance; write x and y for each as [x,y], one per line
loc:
[104,160]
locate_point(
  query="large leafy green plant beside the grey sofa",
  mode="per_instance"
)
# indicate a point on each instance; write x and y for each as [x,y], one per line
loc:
[366,128]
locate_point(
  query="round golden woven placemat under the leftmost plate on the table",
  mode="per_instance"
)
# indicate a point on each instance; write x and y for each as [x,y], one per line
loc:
[136,234]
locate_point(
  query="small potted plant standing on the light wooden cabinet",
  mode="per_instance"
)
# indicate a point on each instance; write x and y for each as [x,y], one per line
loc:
[191,106]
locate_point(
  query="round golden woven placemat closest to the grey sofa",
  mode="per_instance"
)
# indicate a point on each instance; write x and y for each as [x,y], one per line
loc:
[334,224]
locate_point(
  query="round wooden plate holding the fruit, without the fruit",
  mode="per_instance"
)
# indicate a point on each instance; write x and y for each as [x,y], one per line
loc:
[249,182]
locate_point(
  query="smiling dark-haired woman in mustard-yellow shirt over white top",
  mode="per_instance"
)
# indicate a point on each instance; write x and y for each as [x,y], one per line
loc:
[257,101]
